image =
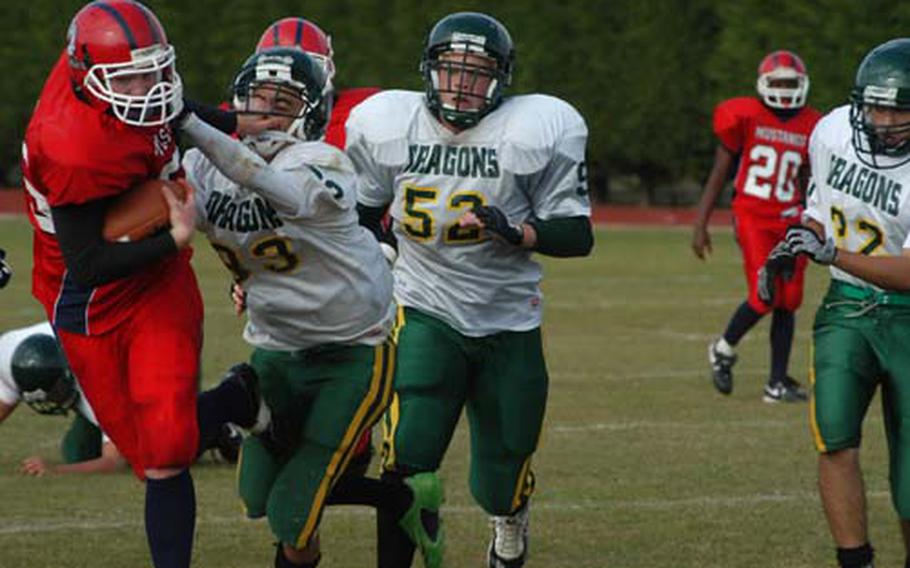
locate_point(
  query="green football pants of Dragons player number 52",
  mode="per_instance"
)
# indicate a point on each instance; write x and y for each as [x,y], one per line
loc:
[502,381]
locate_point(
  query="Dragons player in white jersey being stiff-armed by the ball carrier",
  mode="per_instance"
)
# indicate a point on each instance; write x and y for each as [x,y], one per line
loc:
[280,209]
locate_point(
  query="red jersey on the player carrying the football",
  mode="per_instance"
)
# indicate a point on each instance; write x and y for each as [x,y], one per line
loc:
[73,153]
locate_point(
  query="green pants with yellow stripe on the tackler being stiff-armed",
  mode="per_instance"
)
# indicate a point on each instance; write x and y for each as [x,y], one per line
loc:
[325,398]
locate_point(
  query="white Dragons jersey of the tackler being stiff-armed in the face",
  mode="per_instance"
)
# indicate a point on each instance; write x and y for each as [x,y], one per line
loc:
[312,274]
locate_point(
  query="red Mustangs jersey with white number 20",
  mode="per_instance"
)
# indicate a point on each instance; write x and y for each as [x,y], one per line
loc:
[771,150]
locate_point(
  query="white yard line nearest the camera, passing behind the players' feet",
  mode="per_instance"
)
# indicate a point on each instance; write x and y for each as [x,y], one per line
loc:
[57,525]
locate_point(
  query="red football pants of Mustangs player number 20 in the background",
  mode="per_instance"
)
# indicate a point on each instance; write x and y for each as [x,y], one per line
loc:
[756,237]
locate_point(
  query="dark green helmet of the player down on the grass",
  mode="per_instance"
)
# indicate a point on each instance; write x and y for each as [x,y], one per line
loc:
[42,375]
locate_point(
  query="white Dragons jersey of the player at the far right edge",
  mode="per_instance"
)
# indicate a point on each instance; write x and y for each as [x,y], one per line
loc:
[864,208]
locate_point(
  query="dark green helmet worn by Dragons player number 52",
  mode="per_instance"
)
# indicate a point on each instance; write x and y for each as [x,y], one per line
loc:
[464,34]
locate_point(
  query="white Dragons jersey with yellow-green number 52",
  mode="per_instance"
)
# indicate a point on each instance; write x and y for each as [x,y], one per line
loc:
[526,158]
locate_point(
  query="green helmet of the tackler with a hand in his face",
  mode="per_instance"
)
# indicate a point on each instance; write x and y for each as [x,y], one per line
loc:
[292,71]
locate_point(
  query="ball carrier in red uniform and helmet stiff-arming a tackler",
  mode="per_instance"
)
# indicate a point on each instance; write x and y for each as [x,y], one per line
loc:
[128,315]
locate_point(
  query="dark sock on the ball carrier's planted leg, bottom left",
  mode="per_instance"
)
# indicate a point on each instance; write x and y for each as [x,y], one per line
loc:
[170,519]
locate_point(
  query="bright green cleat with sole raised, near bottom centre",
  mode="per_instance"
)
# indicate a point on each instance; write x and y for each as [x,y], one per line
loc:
[421,521]
